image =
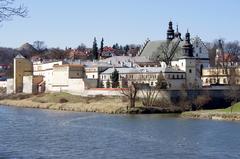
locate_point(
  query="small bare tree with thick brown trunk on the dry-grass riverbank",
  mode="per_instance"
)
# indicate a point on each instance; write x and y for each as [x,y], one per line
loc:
[131,93]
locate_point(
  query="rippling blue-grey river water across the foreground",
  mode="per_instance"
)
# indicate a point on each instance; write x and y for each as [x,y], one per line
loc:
[46,134]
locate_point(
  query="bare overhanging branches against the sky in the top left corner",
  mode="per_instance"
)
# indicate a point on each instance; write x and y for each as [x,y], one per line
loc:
[8,10]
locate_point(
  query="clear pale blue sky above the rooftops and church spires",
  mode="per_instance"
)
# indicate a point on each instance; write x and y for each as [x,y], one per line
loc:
[62,23]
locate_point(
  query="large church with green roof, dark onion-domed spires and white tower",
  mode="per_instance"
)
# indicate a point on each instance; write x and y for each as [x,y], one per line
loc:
[186,54]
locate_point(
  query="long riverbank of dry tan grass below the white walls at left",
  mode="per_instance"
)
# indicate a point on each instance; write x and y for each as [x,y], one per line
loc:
[68,102]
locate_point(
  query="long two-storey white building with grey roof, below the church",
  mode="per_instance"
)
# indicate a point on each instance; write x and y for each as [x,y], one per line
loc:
[175,78]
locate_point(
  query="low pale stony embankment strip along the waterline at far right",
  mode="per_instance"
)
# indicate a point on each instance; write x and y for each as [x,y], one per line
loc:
[214,115]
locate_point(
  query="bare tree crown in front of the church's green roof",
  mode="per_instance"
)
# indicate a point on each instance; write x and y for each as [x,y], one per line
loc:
[166,51]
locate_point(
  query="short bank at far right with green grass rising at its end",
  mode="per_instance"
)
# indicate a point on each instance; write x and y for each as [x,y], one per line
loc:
[231,113]
